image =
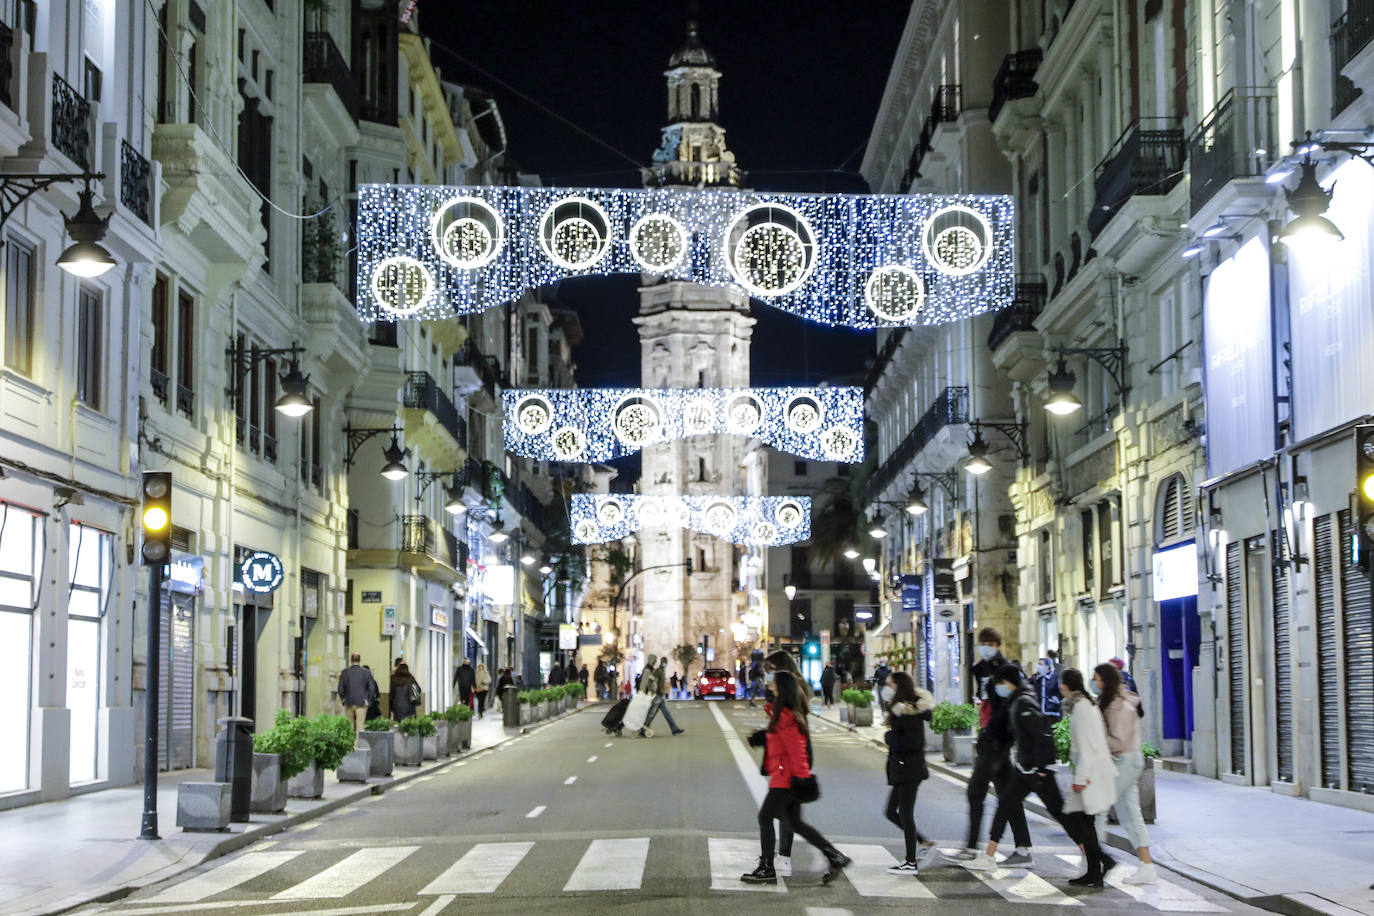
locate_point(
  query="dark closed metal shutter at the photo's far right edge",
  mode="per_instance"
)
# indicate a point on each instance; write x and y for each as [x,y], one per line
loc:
[1358,634]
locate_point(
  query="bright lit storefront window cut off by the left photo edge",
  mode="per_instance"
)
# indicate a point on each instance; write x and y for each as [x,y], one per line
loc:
[21,562]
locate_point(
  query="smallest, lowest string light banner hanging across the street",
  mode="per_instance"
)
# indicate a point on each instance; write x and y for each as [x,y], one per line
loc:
[762,521]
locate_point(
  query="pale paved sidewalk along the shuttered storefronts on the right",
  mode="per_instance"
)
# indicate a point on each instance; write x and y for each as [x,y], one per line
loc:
[1283,854]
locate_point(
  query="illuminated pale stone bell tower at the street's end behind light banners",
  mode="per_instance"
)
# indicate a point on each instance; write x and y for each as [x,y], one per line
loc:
[692,337]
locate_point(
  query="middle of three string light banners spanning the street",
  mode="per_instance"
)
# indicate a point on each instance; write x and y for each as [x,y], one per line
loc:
[600,425]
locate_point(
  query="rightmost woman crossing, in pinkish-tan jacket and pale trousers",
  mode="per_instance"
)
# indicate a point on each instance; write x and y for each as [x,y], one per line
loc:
[1119,713]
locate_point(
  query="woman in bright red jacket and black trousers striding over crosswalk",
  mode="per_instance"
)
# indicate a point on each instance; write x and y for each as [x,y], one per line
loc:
[788,768]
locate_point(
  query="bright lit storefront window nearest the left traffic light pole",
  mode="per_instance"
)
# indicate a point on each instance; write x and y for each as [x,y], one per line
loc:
[89,551]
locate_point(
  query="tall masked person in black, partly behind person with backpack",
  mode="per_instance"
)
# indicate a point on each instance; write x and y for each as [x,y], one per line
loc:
[991,762]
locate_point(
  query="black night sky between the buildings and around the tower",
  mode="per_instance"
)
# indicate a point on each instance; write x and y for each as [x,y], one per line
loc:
[802,84]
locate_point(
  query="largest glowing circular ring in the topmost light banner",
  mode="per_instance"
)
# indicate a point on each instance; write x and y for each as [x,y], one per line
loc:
[770,249]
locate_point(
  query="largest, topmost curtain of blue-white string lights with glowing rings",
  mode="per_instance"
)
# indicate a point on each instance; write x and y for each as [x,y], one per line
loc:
[858,262]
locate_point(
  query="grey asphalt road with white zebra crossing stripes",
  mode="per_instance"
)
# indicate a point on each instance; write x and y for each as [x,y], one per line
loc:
[585,823]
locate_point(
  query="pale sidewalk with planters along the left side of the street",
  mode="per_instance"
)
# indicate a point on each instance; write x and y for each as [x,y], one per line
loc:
[85,849]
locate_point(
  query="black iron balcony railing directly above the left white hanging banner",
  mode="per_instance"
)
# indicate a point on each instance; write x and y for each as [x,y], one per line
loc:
[1226,144]
